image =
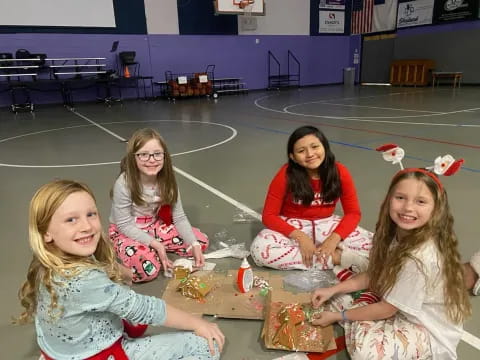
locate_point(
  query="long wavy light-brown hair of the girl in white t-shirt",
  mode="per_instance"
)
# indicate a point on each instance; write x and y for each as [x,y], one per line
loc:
[439,228]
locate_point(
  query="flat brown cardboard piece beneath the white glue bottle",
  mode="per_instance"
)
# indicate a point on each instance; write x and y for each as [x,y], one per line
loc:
[224,300]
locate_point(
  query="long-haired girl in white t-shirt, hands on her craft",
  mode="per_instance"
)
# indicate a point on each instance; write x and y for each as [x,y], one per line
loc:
[415,268]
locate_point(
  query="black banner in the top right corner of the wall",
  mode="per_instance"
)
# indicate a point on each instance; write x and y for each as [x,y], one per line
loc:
[454,10]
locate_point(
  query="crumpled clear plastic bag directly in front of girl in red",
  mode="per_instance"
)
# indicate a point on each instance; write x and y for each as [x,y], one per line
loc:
[311,279]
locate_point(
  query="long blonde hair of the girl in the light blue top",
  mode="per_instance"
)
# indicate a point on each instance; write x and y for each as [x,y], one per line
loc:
[48,260]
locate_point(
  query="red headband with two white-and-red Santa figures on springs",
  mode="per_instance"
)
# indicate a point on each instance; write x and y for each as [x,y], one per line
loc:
[443,165]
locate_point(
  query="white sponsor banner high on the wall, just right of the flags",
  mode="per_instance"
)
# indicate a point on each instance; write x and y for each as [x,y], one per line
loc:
[414,13]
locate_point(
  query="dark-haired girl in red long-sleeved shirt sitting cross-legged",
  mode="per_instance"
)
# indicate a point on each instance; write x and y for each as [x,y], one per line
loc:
[298,213]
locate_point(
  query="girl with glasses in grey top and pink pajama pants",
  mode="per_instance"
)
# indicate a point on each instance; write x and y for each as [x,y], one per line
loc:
[147,218]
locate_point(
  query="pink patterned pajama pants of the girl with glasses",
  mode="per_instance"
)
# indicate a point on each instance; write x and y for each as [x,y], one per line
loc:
[141,258]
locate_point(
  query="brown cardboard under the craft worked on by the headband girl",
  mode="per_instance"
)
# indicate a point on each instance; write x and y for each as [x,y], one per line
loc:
[312,339]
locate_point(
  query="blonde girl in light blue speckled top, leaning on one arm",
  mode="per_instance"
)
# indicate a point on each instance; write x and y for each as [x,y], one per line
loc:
[73,291]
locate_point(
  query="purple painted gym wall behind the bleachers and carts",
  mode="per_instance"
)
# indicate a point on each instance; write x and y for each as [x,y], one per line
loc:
[322,58]
